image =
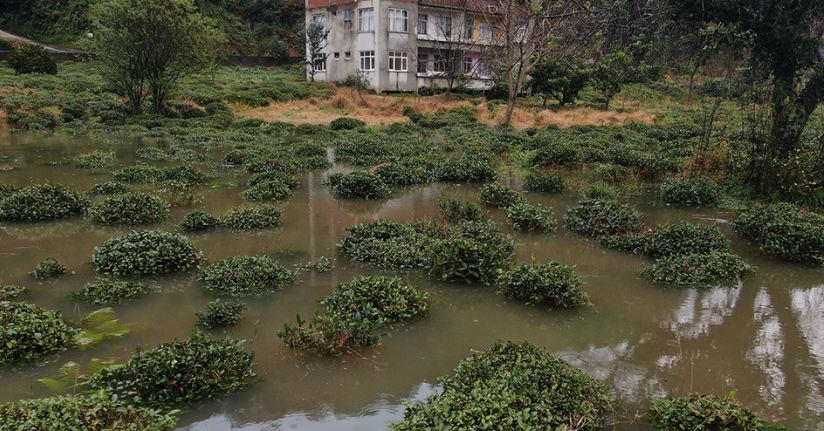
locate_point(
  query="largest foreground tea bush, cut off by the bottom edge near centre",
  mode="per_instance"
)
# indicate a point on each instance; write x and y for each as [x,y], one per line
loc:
[513,383]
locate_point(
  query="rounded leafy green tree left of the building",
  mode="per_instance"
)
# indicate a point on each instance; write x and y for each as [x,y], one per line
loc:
[144,47]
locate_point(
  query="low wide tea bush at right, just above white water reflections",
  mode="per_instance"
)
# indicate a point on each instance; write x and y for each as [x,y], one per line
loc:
[700,270]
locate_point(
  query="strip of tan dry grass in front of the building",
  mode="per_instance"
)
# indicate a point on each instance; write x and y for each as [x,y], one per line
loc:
[377,109]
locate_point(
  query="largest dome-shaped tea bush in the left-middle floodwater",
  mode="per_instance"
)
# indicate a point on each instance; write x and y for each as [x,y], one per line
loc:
[145,253]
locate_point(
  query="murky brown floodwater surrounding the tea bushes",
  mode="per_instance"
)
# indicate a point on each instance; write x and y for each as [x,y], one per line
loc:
[763,338]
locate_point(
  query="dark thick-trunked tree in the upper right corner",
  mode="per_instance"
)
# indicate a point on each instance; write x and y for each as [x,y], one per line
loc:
[783,42]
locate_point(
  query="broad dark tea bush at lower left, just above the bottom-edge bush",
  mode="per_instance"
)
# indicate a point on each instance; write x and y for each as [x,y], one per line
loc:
[179,372]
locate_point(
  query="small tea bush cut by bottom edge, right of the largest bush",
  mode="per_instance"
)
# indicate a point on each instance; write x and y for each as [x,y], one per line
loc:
[705,412]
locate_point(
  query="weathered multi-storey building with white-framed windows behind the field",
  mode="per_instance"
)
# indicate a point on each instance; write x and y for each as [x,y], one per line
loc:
[404,45]
